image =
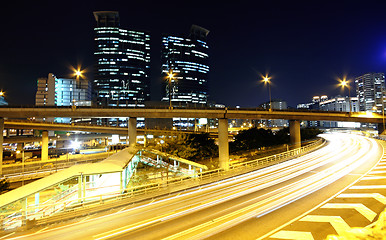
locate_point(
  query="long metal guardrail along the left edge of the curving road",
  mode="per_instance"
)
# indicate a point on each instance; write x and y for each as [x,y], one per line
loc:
[100,202]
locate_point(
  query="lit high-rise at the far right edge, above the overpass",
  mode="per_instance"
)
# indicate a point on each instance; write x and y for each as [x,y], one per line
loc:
[370,89]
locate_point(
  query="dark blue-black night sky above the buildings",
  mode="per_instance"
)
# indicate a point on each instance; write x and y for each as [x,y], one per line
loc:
[304,45]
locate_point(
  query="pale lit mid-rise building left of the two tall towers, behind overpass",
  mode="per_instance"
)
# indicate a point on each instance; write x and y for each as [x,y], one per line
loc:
[54,91]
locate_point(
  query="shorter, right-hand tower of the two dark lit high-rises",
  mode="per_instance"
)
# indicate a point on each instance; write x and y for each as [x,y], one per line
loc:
[187,58]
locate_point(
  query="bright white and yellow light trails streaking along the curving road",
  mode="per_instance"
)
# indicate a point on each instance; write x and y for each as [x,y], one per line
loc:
[204,211]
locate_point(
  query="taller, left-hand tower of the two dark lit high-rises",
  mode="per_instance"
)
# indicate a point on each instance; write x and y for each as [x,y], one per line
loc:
[122,63]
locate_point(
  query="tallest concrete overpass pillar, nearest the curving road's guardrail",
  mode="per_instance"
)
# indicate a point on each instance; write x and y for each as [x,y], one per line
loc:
[223,144]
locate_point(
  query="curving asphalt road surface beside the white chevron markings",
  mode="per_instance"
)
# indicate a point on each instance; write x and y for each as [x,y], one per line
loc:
[248,206]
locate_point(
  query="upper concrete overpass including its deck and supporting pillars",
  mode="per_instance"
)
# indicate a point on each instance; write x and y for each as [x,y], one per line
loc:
[222,114]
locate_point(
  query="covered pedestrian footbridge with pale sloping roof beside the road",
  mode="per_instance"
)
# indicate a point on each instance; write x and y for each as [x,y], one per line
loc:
[85,182]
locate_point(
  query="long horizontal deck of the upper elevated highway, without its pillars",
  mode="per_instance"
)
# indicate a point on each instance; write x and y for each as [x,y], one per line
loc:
[220,113]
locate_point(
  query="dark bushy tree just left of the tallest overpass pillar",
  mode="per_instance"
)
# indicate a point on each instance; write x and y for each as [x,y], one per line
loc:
[194,147]
